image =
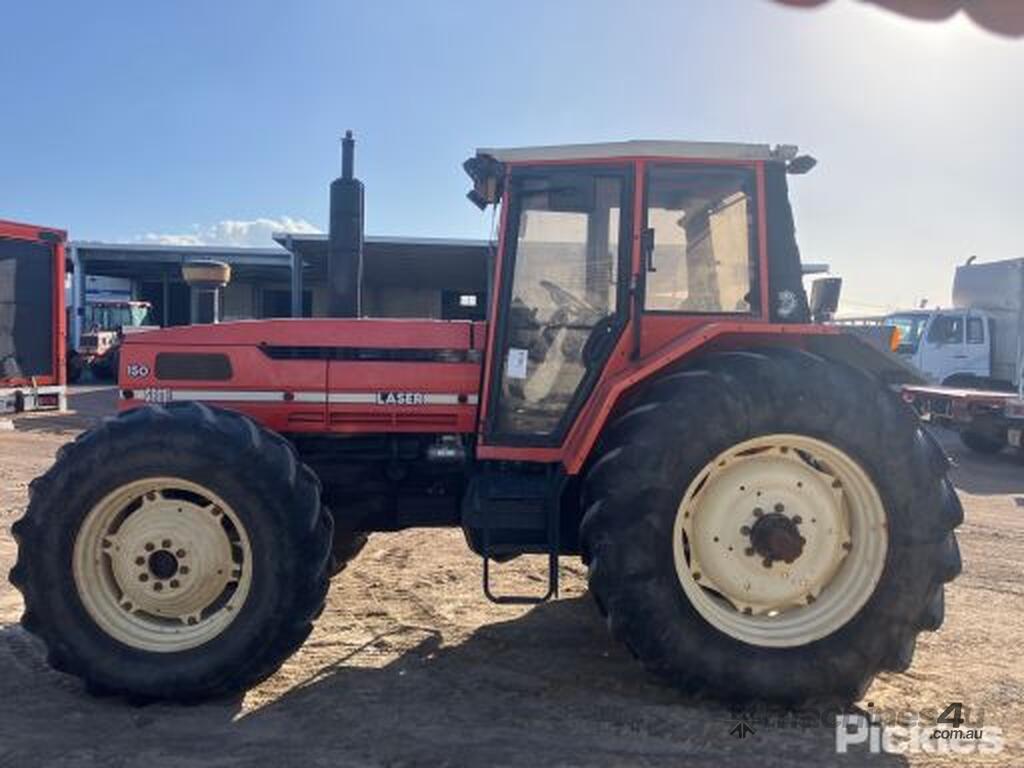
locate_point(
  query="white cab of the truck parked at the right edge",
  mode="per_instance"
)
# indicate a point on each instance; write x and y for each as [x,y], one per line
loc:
[950,347]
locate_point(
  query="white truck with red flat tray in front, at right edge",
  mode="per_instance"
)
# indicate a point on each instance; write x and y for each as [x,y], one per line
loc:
[977,352]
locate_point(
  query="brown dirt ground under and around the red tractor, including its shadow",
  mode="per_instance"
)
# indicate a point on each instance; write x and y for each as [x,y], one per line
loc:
[411,666]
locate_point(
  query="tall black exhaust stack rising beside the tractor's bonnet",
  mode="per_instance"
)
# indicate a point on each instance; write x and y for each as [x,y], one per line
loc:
[345,262]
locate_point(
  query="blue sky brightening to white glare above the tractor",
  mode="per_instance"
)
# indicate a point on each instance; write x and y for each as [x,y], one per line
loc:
[134,121]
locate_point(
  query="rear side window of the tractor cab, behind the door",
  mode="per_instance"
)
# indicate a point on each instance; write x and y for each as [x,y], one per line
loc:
[704,259]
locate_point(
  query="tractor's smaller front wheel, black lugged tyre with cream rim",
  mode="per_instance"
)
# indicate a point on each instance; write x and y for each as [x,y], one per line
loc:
[177,552]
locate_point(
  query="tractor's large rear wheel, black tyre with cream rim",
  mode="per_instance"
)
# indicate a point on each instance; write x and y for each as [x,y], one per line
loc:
[770,526]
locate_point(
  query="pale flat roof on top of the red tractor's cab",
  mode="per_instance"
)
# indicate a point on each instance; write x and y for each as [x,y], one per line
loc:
[646,149]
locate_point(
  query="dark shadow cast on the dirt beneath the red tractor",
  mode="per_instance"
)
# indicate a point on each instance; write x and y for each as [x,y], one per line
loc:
[548,689]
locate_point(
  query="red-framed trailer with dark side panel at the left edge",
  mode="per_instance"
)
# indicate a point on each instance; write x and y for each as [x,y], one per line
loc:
[33,325]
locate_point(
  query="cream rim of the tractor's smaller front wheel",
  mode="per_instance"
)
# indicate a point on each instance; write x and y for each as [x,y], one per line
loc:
[162,565]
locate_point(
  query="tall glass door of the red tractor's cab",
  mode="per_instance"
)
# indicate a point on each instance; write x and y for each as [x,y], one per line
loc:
[564,297]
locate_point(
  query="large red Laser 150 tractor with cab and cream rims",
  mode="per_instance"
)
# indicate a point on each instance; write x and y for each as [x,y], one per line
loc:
[762,518]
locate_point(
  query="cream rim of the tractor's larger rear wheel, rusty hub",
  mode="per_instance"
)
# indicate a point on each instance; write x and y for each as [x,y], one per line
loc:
[772,499]
